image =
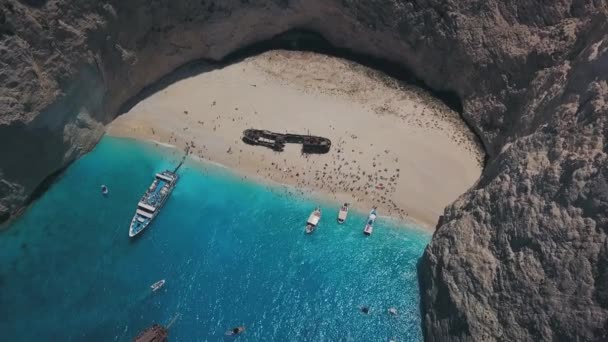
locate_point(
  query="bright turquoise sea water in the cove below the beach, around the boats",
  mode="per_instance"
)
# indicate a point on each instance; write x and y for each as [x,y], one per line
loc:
[232,252]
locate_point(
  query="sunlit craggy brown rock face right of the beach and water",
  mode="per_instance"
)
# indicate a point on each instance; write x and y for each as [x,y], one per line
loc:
[523,256]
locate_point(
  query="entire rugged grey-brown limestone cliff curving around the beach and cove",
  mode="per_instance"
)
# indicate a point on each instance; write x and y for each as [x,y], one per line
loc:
[523,255]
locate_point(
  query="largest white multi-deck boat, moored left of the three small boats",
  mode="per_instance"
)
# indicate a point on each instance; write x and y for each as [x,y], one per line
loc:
[152,201]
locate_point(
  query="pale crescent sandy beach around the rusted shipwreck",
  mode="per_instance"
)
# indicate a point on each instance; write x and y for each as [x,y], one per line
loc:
[393,145]
